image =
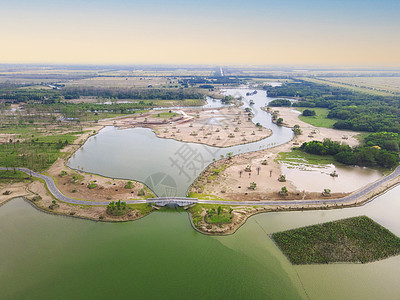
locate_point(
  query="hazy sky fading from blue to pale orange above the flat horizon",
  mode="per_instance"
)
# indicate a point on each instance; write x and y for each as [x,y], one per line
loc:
[234,32]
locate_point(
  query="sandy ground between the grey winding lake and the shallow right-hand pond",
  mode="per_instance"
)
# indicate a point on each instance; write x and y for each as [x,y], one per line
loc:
[233,183]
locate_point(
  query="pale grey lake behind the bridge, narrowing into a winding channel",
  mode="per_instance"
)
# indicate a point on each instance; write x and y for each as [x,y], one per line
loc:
[167,166]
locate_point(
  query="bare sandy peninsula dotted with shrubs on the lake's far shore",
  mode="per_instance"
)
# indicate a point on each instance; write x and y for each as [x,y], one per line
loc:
[222,127]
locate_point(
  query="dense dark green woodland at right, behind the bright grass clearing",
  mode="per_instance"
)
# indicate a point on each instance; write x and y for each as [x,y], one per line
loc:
[354,110]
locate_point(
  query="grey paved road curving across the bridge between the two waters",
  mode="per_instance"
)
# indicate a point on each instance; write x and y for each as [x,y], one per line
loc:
[57,194]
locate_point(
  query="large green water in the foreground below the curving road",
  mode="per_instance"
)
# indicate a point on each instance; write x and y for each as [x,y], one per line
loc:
[162,257]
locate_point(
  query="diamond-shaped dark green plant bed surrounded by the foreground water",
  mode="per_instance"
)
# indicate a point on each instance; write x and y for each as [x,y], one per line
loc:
[357,239]
